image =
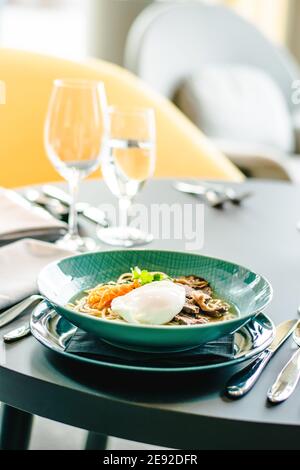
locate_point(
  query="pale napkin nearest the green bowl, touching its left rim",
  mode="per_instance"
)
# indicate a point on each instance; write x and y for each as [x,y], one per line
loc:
[20,264]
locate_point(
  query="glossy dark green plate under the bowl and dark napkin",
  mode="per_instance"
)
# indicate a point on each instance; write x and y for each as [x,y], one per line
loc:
[55,332]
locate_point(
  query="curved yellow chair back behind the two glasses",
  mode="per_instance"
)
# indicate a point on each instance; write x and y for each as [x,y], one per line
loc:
[182,151]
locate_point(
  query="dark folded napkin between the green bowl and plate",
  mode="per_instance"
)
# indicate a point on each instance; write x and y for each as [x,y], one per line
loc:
[86,344]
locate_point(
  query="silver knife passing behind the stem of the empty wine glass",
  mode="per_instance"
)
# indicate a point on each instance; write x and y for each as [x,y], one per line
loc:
[83,208]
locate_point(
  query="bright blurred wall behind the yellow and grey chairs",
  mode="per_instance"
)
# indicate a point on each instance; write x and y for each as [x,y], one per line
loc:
[77,28]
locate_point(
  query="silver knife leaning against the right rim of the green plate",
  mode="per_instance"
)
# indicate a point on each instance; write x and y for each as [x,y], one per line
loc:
[242,382]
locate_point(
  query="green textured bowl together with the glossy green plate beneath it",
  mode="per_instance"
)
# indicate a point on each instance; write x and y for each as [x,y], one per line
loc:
[57,326]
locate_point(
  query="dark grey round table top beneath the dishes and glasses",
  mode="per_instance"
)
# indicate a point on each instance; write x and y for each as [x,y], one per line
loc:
[182,411]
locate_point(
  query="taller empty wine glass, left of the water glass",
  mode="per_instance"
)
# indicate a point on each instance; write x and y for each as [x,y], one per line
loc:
[75,132]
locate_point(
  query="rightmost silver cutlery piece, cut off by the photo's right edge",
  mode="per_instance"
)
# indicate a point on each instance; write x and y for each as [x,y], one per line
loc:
[289,377]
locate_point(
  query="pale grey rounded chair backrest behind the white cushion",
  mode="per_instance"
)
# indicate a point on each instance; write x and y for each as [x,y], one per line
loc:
[168,42]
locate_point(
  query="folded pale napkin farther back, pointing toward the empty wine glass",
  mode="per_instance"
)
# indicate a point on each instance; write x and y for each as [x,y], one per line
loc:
[19,219]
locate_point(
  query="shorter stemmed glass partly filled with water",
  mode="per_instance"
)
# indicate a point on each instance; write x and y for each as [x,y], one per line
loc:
[127,163]
